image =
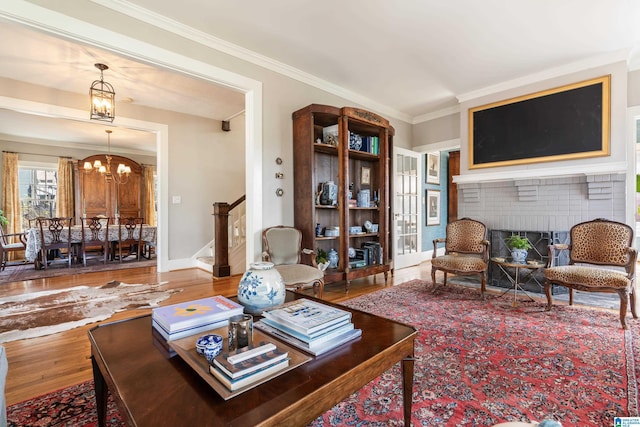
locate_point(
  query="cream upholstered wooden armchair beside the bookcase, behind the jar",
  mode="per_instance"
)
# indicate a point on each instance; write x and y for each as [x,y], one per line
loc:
[283,247]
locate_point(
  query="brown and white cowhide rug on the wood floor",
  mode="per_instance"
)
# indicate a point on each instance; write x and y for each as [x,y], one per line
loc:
[47,312]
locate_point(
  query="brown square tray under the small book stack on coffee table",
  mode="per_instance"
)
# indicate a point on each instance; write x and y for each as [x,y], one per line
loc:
[186,349]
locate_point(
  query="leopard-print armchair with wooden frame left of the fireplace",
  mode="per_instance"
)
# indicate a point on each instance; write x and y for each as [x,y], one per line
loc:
[466,251]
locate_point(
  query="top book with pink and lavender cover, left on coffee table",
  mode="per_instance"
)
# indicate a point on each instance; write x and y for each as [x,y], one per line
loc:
[190,314]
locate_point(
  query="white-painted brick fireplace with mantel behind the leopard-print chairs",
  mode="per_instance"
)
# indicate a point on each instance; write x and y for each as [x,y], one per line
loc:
[543,209]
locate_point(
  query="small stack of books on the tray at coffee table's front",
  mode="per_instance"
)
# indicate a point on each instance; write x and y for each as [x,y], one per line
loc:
[248,365]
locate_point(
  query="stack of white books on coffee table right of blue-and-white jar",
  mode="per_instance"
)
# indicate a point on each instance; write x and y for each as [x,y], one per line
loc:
[311,326]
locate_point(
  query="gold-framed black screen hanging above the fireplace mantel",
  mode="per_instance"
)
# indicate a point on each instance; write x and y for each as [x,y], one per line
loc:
[566,122]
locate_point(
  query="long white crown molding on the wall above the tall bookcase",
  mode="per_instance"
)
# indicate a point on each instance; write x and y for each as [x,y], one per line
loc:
[205,39]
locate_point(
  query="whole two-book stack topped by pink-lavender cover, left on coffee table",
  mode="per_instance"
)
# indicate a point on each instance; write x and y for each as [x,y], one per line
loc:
[192,317]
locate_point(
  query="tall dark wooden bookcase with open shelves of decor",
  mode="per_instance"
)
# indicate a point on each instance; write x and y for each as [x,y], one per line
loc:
[360,166]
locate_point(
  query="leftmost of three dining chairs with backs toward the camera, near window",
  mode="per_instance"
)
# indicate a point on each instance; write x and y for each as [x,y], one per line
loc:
[55,238]
